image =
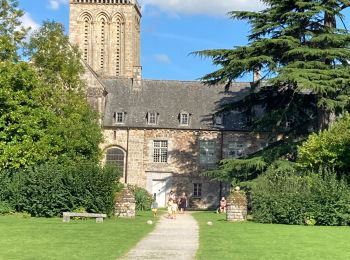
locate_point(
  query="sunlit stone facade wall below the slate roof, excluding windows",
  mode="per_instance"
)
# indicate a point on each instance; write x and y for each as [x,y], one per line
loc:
[183,167]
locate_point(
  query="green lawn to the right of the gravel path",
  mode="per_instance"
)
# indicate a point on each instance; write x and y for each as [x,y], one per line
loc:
[249,240]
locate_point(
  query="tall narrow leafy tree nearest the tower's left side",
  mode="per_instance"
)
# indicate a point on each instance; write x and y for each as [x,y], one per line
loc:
[76,133]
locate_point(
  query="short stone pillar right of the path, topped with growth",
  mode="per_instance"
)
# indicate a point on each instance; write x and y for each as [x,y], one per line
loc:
[236,209]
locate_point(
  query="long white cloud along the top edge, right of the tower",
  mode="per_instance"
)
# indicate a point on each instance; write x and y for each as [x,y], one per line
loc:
[206,7]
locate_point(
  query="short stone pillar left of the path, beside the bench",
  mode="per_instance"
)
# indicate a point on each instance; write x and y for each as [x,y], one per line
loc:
[125,206]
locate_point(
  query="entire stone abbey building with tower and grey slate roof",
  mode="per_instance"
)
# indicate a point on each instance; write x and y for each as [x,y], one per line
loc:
[163,134]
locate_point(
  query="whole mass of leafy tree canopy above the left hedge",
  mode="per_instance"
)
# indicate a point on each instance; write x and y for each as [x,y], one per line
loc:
[44,114]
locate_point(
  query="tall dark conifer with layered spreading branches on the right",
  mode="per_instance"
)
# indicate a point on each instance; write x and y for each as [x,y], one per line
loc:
[298,48]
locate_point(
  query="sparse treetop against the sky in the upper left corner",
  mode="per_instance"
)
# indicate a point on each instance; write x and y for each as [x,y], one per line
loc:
[12,33]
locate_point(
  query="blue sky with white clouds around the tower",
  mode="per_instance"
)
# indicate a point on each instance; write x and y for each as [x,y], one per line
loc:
[171,30]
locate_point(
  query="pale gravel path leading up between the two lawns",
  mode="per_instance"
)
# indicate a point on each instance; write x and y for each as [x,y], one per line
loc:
[171,239]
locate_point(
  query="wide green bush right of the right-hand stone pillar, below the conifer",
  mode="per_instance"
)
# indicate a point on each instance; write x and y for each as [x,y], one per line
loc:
[284,197]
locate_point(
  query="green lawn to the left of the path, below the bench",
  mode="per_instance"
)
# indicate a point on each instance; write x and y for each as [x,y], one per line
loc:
[49,239]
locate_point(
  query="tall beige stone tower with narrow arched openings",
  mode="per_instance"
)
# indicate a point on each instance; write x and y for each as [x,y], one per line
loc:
[108,35]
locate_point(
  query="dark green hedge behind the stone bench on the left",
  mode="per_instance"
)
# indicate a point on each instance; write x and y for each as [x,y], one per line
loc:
[50,189]
